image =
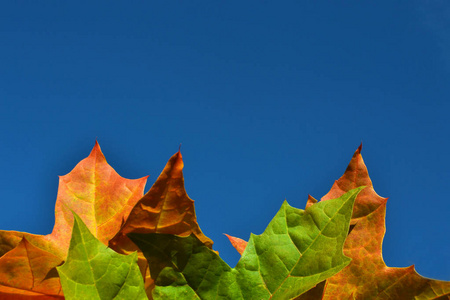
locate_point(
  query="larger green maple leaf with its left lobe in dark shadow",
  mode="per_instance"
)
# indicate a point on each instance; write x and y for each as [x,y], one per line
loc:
[299,249]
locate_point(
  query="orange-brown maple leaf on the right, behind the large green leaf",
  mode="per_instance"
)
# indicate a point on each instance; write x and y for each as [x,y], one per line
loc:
[367,276]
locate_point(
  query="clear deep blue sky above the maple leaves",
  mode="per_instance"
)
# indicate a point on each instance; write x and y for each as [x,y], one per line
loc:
[269,101]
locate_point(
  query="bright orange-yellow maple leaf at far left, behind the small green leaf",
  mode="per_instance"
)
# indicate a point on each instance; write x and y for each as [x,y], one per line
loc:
[93,190]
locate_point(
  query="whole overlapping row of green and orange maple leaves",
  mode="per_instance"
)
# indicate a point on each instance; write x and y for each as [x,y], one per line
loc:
[112,242]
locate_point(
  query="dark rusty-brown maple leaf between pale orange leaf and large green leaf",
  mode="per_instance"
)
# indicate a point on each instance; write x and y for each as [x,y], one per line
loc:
[165,208]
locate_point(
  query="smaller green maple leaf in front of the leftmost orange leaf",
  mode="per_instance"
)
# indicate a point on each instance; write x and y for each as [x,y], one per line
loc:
[94,271]
